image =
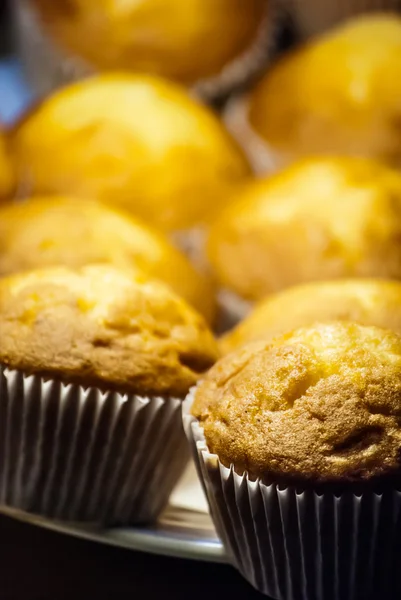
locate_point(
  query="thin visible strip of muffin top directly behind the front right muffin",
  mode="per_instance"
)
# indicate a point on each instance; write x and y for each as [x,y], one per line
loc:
[364,301]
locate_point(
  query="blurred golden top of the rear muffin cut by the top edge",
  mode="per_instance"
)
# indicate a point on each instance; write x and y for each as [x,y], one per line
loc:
[180,39]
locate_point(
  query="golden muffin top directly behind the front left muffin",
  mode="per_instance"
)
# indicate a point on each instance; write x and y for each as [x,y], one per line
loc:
[56,230]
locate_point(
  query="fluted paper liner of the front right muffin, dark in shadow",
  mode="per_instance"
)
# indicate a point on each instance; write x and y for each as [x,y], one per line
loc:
[294,545]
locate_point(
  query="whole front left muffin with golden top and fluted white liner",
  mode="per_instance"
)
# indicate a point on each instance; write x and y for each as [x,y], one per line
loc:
[94,365]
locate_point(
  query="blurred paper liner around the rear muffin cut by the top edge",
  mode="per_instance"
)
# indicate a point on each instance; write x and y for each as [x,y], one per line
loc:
[48,66]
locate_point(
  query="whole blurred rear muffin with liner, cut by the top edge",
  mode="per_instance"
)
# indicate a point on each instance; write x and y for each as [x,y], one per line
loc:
[210,44]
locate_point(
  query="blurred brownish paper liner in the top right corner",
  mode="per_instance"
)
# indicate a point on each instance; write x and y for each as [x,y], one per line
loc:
[312,17]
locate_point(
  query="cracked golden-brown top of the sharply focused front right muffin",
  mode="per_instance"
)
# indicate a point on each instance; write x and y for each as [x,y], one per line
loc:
[321,404]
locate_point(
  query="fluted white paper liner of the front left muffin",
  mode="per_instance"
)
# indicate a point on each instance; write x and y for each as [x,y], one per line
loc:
[78,454]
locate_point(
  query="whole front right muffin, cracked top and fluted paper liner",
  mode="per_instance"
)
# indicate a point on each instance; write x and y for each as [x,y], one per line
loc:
[298,444]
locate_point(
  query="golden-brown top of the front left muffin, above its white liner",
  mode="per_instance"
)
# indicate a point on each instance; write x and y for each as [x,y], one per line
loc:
[104,327]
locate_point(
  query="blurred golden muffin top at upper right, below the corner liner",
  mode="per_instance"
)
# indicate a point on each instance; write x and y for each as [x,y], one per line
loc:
[338,94]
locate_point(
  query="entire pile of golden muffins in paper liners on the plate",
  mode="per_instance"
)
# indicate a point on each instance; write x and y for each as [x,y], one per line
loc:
[136,225]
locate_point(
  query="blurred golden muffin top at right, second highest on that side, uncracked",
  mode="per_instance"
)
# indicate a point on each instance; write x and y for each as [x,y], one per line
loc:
[319,219]
